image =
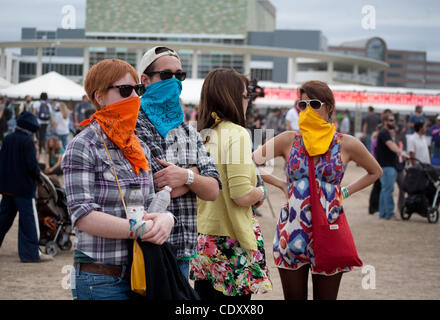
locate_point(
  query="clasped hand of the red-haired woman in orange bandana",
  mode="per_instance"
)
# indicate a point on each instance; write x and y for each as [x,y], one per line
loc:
[163,223]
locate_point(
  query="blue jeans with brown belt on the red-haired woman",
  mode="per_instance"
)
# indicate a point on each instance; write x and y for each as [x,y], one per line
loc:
[93,286]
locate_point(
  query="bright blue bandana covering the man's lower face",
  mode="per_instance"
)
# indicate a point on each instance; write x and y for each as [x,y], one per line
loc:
[161,103]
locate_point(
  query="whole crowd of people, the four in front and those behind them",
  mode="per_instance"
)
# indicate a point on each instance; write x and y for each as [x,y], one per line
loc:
[131,134]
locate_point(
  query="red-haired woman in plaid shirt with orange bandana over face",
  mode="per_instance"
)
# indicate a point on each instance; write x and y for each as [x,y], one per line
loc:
[100,165]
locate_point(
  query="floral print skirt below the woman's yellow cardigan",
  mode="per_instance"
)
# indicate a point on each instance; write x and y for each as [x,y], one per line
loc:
[231,269]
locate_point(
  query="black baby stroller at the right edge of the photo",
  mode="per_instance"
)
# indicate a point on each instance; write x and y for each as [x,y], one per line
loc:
[422,185]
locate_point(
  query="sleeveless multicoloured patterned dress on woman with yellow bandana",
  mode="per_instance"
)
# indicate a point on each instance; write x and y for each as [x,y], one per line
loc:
[293,242]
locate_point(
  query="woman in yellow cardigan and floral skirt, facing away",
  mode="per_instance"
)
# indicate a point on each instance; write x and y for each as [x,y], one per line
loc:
[231,262]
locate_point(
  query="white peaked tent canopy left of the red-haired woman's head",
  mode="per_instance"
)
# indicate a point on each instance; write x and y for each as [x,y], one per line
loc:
[55,85]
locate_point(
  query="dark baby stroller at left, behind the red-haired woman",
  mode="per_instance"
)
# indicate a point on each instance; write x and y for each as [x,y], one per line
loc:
[54,220]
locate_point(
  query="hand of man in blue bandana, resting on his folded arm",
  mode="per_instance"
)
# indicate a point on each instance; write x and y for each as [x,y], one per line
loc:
[172,175]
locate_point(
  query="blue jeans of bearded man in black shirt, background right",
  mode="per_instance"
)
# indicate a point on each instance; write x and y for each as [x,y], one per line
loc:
[386,201]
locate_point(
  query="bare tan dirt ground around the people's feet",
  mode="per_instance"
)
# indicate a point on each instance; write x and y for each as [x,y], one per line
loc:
[400,257]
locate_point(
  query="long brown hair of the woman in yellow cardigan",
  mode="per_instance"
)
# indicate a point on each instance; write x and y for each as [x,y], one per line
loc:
[222,93]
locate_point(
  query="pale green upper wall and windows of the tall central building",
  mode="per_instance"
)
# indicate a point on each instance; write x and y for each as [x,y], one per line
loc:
[196,21]
